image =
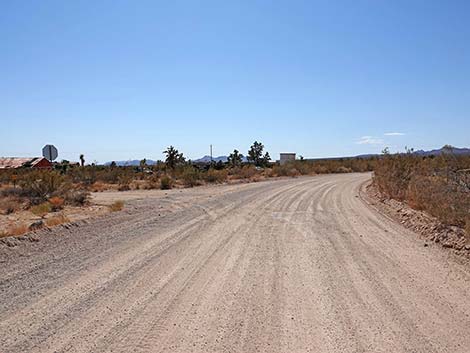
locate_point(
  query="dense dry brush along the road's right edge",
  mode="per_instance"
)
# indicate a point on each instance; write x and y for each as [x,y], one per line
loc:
[433,184]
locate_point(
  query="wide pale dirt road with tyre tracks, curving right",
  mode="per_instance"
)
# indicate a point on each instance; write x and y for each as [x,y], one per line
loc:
[294,265]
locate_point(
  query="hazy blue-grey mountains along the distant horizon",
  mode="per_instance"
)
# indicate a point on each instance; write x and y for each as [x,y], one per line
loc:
[207,159]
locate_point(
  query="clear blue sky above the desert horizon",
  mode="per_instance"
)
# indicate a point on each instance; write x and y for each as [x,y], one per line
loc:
[124,79]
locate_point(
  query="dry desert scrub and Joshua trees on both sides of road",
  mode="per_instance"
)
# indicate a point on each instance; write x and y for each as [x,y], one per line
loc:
[439,185]
